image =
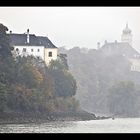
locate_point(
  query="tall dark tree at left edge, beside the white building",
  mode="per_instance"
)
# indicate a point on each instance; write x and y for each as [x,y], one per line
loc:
[6,59]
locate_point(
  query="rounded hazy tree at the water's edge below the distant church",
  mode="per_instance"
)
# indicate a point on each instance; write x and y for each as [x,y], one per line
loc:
[122,99]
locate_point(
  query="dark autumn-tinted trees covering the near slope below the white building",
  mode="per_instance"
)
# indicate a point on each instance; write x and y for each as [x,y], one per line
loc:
[28,86]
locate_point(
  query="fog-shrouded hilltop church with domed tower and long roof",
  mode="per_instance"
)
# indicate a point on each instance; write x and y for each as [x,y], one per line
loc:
[123,48]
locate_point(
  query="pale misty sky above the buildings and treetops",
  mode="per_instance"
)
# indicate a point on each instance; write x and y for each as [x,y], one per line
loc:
[74,26]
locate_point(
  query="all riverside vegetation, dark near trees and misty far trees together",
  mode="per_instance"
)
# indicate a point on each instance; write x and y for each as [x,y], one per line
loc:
[30,89]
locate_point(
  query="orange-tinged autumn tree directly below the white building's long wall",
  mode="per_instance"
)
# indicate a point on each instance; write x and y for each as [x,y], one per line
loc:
[27,71]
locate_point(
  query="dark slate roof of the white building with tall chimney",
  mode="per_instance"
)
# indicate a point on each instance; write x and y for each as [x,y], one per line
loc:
[21,40]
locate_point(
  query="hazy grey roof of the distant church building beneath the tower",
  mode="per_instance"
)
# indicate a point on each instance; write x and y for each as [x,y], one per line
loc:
[120,48]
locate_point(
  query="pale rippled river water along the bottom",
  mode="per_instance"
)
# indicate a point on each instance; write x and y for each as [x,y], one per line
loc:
[127,125]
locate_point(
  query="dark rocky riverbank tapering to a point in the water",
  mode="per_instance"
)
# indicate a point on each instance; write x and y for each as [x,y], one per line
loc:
[8,118]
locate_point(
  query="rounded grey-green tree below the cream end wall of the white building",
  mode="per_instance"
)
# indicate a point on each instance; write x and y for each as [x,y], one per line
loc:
[65,84]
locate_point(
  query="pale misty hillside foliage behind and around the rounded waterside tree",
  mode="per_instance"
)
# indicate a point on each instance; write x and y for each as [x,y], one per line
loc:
[95,73]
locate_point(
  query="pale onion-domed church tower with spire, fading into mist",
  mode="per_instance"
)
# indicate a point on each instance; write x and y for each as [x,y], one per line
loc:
[126,35]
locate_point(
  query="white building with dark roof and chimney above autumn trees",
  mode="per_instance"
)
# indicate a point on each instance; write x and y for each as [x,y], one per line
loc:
[30,44]
